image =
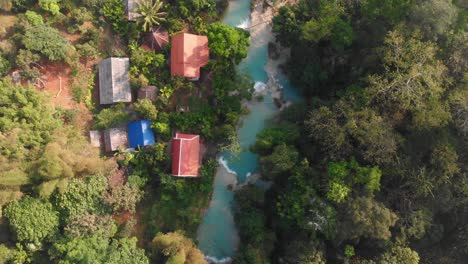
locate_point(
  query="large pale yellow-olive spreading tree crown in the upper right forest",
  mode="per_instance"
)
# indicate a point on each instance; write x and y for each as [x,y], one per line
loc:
[413,77]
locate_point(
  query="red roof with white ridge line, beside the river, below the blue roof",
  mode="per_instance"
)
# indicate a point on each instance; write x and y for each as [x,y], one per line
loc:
[185,155]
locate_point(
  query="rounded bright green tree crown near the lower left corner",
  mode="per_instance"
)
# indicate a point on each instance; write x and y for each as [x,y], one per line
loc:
[32,220]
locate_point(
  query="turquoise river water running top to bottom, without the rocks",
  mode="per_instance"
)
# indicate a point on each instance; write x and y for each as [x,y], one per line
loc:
[217,235]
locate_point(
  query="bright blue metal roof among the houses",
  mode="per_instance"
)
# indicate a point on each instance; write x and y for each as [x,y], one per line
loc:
[140,134]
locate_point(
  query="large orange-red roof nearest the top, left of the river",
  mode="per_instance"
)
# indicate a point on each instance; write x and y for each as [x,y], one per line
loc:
[188,53]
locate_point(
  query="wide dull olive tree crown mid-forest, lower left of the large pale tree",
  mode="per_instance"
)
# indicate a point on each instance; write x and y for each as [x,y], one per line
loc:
[334,129]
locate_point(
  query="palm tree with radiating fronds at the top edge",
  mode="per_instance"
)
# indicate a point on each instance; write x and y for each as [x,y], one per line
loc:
[150,13]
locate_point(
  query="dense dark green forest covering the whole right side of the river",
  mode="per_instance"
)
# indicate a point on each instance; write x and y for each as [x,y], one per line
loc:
[373,75]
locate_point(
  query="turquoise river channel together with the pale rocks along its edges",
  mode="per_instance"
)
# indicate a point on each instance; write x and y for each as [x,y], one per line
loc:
[217,236]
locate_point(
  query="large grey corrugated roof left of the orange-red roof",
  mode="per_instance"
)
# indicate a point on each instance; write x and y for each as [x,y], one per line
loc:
[114,81]
